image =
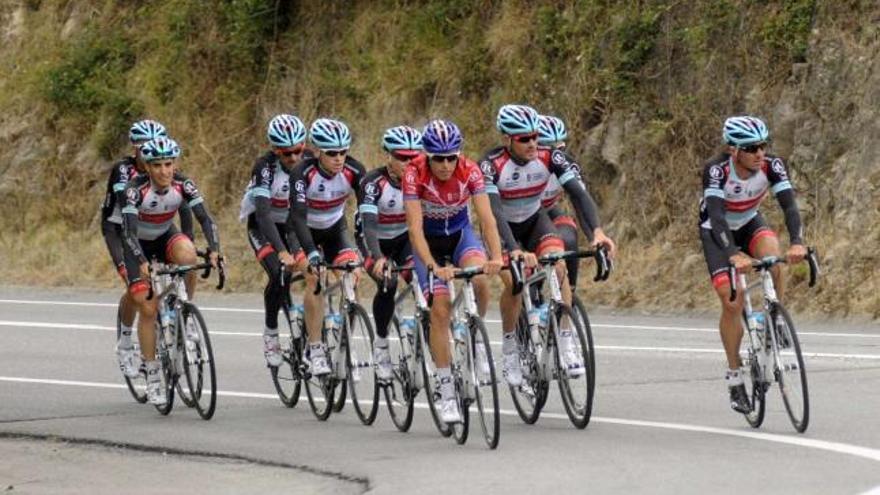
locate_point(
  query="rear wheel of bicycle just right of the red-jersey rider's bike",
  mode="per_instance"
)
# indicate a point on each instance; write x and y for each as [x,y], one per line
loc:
[529,402]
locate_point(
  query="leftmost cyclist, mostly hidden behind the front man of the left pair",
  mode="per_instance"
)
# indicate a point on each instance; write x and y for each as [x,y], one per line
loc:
[111,228]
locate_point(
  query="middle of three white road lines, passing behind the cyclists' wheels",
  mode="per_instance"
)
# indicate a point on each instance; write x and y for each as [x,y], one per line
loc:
[688,350]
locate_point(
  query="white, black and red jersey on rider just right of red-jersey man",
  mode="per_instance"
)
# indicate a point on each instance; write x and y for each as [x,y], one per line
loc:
[521,186]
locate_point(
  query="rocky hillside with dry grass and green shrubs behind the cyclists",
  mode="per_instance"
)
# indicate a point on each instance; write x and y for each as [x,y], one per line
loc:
[643,86]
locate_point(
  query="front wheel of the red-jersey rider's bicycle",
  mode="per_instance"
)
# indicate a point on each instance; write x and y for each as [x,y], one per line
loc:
[484,382]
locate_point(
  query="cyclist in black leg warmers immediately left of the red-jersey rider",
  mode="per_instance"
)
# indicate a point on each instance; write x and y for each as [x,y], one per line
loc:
[382,230]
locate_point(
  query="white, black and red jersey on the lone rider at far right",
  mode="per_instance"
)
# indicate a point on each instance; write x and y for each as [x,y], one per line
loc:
[730,202]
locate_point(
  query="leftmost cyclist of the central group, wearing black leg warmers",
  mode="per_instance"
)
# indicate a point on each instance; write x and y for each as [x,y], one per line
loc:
[265,206]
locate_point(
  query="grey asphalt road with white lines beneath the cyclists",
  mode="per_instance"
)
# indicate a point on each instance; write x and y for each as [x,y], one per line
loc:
[661,423]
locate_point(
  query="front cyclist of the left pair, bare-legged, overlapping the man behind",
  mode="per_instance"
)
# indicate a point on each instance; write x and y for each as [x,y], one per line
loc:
[151,201]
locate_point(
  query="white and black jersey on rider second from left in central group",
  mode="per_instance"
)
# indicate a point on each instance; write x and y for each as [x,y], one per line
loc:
[318,199]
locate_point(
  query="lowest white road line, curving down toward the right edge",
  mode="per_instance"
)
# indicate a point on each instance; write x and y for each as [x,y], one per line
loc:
[798,441]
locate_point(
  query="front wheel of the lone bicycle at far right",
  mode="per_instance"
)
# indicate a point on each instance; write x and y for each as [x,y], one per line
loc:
[789,368]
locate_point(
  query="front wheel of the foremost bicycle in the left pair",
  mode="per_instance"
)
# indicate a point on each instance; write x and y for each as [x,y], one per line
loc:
[198,359]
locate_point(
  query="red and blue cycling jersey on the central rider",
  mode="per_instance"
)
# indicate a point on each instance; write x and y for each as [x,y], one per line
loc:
[444,203]
